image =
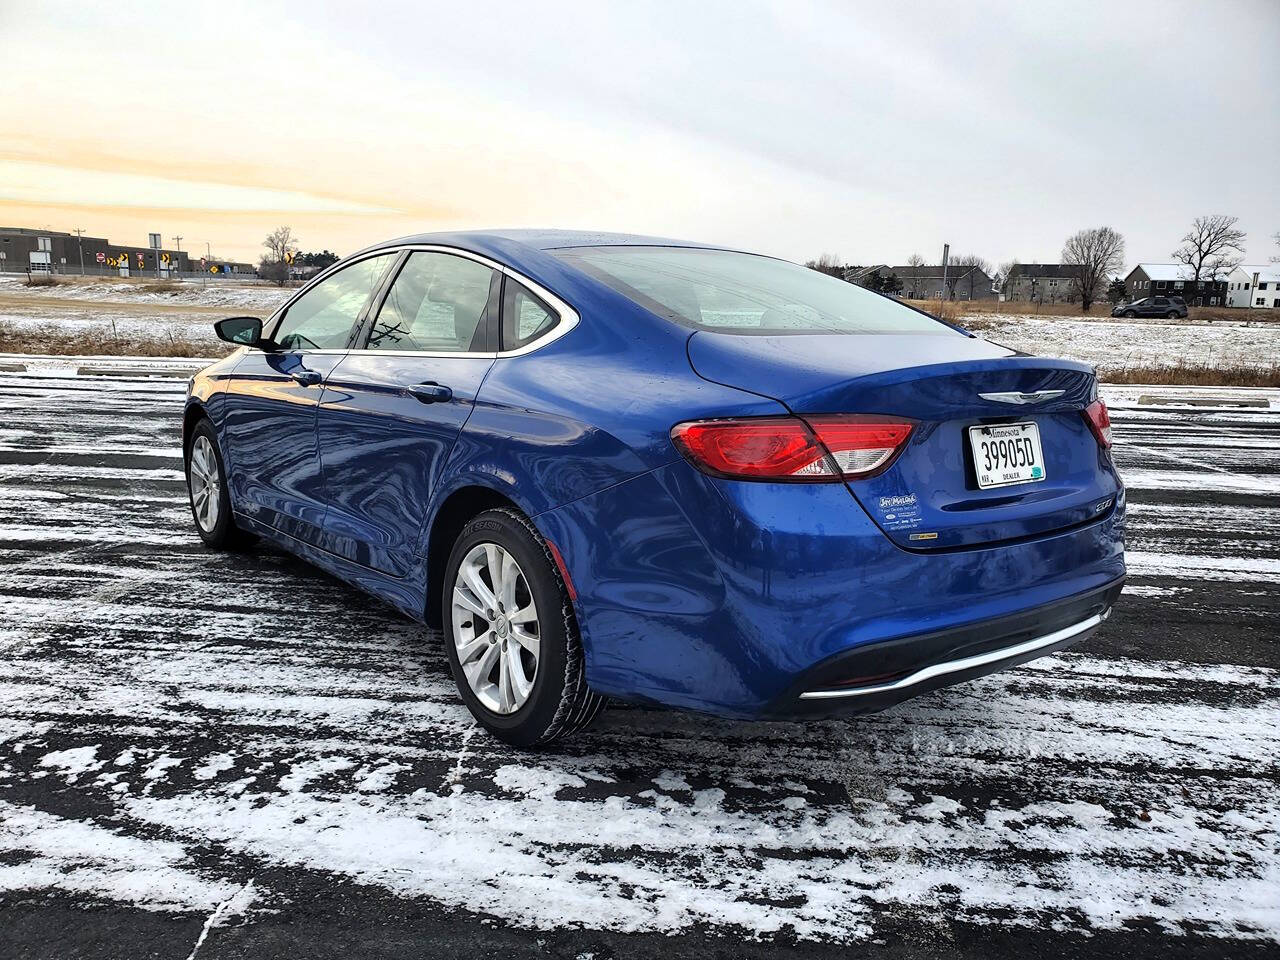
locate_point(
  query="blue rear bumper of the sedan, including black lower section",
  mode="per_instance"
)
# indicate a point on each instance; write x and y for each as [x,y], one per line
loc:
[735,598]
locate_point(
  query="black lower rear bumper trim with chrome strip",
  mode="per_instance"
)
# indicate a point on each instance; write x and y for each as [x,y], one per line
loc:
[876,676]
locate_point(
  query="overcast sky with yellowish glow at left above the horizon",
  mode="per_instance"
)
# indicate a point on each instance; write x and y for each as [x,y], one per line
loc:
[871,131]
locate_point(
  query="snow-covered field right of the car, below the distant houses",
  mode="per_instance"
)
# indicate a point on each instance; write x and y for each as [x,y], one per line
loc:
[1114,345]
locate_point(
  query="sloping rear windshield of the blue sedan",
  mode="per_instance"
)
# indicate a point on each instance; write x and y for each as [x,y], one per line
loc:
[717,290]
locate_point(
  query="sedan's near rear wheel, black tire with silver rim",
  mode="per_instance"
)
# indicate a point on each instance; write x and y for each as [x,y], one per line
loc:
[524,680]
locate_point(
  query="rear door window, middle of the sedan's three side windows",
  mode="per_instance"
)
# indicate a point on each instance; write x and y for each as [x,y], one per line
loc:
[436,305]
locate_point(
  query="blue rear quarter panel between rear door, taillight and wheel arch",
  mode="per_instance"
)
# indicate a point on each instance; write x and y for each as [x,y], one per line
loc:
[588,412]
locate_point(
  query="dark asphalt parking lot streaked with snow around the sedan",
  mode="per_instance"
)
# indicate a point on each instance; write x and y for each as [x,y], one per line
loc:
[232,756]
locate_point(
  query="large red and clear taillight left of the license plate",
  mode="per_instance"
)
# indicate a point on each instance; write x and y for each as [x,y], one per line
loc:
[824,449]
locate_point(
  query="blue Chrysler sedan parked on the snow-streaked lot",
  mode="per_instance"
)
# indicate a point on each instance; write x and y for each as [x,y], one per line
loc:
[614,467]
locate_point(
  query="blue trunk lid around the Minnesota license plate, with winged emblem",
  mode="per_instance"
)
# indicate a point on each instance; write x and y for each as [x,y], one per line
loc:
[929,499]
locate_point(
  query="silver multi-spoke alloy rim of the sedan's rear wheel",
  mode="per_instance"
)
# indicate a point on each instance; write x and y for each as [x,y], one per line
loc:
[496,629]
